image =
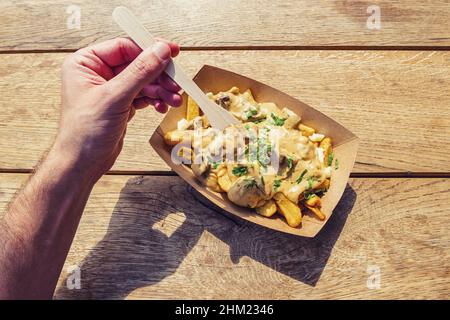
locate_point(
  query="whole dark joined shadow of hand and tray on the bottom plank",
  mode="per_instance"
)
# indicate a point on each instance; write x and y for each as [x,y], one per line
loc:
[143,246]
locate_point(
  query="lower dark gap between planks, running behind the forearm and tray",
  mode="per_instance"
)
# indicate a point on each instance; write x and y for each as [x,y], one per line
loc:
[407,175]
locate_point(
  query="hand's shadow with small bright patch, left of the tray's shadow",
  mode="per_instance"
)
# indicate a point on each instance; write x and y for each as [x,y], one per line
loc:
[139,248]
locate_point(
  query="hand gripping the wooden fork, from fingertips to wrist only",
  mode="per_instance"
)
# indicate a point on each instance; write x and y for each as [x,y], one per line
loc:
[102,87]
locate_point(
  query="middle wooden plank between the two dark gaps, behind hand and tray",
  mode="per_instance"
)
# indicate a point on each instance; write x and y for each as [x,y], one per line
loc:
[396,102]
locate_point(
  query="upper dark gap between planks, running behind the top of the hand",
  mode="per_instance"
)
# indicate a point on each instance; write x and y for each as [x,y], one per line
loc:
[262,48]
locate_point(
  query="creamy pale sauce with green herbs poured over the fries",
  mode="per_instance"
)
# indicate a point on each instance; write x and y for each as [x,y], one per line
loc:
[302,165]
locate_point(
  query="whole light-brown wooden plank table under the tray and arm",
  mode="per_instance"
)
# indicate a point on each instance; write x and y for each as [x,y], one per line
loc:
[145,234]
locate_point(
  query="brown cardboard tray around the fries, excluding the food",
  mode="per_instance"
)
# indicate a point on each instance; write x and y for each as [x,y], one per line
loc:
[345,144]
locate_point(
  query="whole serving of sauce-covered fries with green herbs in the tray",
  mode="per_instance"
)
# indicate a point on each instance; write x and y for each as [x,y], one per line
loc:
[297,186]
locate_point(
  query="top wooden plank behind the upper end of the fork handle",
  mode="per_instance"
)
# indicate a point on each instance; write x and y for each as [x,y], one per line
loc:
[42,24]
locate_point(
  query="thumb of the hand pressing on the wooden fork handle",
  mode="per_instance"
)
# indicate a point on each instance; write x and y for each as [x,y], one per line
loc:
[144,69]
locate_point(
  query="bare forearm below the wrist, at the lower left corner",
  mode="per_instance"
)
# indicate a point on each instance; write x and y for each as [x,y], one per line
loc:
[39,227]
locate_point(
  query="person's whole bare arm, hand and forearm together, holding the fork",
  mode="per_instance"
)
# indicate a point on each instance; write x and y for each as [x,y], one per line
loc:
[103,85]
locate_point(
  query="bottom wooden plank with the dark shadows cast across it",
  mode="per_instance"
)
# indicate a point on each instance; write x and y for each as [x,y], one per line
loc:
[135,242]
